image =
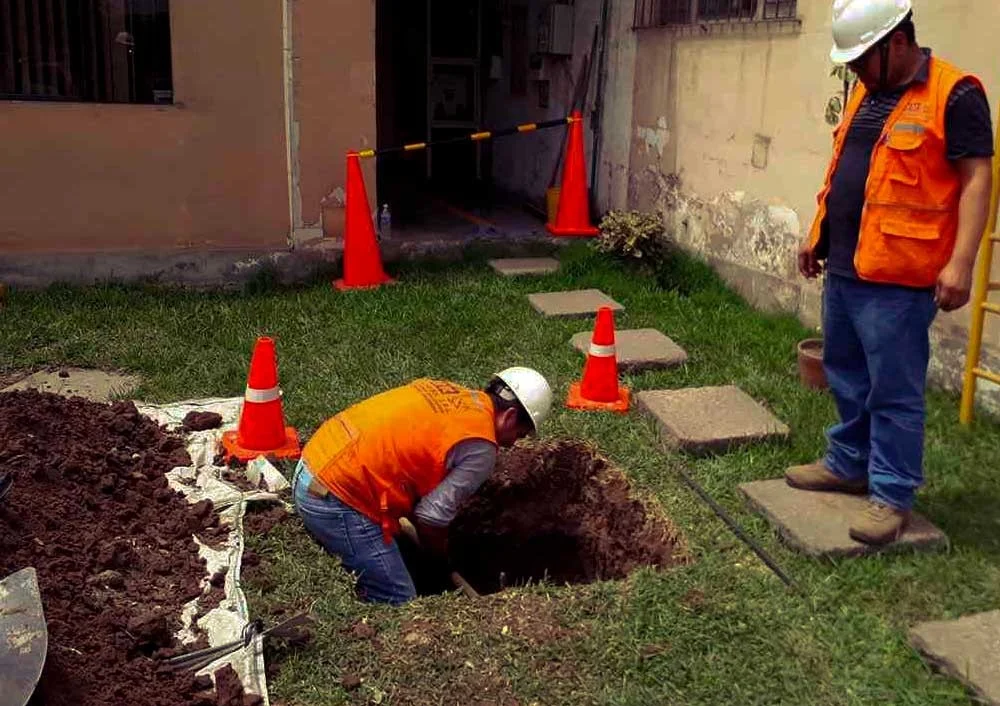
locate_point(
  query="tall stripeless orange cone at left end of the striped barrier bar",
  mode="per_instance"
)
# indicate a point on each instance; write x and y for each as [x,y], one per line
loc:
[362,259]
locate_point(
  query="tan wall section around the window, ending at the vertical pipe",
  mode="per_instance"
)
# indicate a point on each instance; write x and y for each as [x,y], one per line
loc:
[209,171]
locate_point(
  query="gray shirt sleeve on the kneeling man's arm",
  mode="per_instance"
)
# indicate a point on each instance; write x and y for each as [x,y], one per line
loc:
[469,464]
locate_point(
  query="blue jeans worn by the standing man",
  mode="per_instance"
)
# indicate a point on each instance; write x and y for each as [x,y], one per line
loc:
[876,349]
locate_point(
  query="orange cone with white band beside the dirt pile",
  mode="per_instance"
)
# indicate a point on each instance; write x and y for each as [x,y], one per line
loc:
[262,429]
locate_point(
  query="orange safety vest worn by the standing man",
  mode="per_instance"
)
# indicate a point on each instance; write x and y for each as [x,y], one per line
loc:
[910,218]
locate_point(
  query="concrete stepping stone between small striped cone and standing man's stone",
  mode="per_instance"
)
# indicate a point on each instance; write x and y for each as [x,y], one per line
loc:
[710,419]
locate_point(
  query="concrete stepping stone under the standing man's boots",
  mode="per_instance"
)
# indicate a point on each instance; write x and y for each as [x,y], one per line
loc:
[817,524]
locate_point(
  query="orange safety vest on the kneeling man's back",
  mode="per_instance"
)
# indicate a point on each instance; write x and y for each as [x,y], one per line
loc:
[383,454]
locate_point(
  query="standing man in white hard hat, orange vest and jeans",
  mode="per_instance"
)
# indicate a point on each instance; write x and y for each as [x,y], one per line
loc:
[899,225]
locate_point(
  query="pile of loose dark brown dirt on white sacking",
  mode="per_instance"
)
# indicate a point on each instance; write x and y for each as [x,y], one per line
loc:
[92,512]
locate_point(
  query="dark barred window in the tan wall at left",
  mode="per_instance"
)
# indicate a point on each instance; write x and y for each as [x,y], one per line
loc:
[94,51]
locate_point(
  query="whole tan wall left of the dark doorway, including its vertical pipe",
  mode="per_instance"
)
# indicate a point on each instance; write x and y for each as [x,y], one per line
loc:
[212,171]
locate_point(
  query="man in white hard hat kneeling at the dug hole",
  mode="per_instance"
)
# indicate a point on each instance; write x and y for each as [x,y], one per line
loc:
[417,451]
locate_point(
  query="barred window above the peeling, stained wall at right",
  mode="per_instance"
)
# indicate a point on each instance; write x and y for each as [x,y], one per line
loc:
[661,13]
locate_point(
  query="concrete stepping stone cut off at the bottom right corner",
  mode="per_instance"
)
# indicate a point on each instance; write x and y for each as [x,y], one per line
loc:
[967,649]
